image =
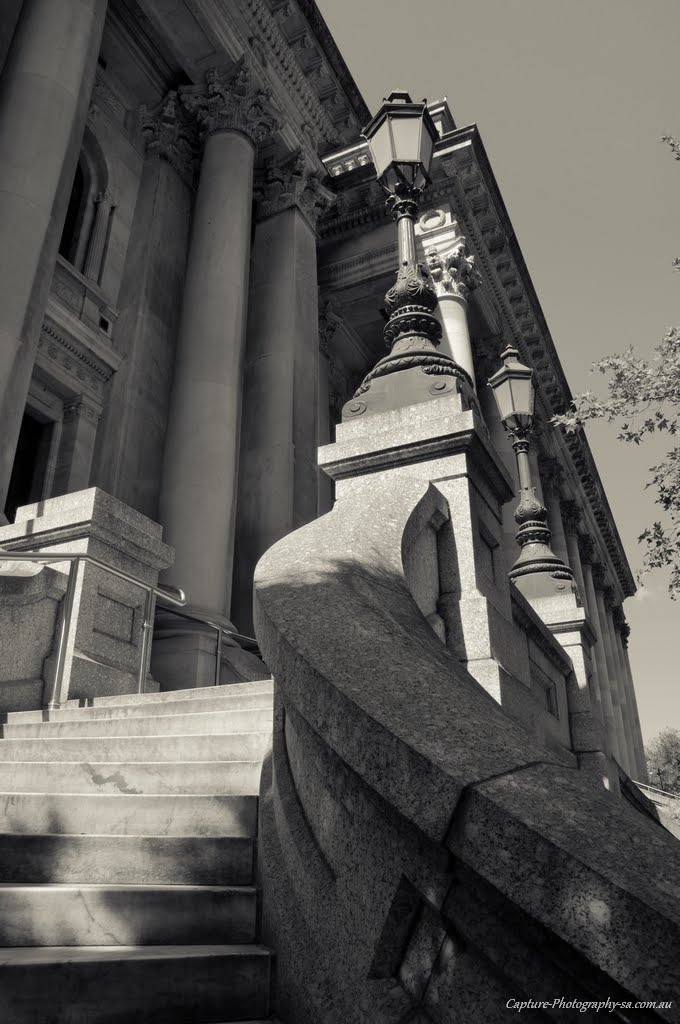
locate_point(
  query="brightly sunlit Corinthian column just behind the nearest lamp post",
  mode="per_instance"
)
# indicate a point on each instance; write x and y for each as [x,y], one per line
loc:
[454,276]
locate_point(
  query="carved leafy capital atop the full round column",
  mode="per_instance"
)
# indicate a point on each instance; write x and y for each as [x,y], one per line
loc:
[233,101]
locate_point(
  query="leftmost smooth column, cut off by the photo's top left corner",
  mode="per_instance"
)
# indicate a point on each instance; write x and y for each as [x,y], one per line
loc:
[45,97]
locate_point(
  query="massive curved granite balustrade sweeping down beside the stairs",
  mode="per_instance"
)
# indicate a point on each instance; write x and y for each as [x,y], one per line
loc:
[422,859]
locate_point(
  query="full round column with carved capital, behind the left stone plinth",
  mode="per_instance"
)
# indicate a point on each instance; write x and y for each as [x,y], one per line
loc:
[201,459]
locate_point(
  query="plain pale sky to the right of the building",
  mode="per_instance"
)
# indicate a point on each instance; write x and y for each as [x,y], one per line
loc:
[571,98]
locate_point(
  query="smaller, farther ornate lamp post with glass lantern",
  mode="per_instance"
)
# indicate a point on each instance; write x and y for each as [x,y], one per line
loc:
[514,391]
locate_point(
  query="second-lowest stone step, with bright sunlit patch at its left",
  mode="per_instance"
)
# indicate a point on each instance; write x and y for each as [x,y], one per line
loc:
[130,916]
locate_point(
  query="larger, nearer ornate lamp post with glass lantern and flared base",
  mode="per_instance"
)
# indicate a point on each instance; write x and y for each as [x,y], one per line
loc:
[402,138]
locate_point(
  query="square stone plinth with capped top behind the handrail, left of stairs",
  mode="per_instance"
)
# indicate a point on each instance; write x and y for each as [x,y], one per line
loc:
[105,647]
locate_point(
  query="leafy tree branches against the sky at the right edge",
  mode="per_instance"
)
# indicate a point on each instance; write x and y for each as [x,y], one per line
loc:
[644,398]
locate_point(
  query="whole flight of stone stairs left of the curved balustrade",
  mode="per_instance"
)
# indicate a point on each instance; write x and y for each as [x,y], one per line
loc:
[127,852]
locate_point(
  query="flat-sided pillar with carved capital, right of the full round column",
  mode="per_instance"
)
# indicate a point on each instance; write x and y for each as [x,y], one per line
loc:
[279,477]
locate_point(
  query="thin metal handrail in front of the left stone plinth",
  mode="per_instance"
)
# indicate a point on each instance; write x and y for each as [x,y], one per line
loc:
[175,596]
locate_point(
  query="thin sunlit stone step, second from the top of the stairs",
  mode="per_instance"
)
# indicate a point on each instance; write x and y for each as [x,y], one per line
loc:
[214,723]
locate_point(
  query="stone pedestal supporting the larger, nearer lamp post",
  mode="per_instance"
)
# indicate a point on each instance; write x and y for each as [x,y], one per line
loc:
[452,553]
